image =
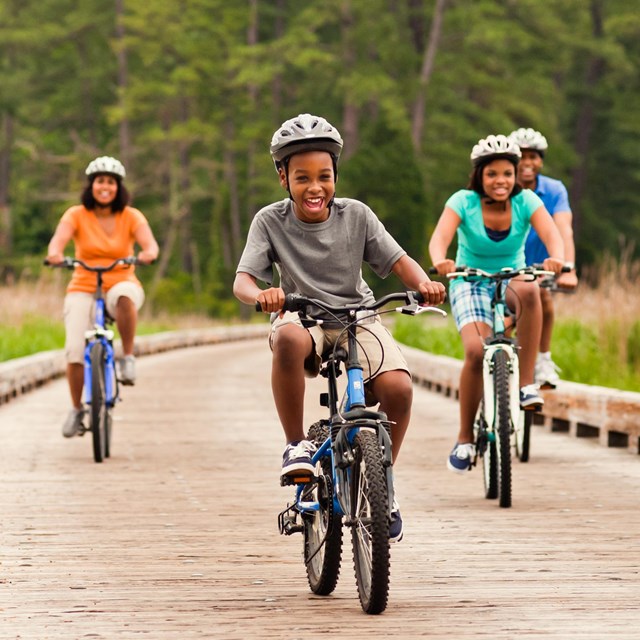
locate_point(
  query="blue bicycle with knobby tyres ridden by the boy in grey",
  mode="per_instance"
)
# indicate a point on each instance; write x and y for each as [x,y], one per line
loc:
[353,483]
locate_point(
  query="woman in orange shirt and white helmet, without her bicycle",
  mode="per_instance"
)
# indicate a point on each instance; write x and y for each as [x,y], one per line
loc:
[103,228]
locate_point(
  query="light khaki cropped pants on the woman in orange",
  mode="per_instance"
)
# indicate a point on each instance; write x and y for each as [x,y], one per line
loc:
[79,315]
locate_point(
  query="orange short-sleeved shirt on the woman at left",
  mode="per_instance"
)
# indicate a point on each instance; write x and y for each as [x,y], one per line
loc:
[97,248]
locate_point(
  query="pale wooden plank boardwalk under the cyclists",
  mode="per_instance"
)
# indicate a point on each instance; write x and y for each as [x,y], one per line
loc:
[175,536]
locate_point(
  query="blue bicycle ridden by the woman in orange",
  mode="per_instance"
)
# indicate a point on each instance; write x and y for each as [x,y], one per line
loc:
[101,389]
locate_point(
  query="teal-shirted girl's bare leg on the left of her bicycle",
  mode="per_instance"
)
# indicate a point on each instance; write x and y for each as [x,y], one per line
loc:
[470,391]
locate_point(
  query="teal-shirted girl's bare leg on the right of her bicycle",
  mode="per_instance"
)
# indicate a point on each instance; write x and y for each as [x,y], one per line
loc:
[525,298]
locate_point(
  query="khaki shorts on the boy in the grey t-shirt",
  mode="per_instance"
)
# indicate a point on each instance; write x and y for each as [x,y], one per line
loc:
[374,340]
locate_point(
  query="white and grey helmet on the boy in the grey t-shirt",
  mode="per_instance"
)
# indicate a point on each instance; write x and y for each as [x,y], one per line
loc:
[305,133]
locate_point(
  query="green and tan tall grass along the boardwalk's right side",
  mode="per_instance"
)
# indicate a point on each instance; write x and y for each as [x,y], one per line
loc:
[596,338]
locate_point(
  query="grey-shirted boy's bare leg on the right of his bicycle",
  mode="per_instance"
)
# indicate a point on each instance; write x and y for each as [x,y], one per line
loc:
[394,391]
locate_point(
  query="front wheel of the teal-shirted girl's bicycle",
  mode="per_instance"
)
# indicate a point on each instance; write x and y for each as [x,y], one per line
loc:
[502,426]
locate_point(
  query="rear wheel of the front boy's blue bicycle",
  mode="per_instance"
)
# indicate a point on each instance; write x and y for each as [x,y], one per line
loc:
[322,528]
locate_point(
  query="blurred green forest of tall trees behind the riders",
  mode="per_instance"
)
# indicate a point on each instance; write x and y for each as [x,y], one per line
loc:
[188,93]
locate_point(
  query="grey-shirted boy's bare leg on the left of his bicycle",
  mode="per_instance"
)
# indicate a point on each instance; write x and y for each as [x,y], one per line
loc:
[291,346]
